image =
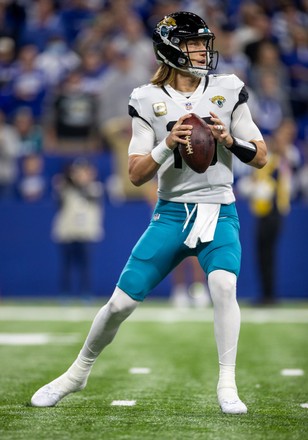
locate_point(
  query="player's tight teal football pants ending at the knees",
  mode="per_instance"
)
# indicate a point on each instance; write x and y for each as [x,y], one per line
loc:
[161,248]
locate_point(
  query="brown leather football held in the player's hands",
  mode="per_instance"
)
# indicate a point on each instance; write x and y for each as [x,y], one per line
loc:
[199,152]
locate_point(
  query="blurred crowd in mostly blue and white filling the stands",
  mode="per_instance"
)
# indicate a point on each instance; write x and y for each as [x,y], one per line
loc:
[67,69]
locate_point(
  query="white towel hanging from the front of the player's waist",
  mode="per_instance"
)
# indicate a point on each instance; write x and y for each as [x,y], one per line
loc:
[204,225]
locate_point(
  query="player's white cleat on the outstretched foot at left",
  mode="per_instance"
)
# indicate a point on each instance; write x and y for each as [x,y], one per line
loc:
[53,392]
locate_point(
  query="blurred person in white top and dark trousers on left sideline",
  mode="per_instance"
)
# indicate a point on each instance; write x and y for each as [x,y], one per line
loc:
[77,224]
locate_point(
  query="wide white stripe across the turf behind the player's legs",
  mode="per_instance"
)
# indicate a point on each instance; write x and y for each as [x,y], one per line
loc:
[150,314]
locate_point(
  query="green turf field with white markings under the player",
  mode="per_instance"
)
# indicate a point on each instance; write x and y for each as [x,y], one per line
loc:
[175,398]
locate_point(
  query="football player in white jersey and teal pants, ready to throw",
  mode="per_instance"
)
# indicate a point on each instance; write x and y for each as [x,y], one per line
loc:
[195,213]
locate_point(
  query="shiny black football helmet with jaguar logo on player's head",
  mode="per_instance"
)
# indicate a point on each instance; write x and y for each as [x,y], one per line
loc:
[179,27]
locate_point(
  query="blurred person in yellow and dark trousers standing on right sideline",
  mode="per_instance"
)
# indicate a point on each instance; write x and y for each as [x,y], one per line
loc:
[269,191]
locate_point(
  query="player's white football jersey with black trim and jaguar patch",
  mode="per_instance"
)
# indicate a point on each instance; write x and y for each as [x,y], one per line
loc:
[160,108]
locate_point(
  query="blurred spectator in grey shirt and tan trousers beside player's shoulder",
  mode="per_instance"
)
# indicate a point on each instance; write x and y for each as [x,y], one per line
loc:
[114,121]
